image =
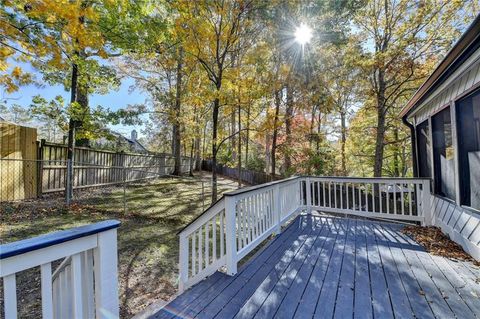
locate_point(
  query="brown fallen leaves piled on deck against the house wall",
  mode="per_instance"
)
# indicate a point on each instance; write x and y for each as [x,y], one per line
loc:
[437,243]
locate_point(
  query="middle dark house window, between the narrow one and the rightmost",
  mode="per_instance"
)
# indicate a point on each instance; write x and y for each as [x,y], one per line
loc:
[443,155]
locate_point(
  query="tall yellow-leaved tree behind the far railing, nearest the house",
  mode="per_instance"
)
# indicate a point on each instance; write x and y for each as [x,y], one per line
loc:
[406,39]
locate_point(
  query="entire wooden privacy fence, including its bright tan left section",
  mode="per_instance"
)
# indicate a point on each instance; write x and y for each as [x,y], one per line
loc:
[29,169]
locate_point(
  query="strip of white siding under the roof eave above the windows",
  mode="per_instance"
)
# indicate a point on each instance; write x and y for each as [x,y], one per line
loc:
[463,79]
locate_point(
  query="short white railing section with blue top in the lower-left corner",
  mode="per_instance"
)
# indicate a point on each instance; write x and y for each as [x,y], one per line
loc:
[84,285]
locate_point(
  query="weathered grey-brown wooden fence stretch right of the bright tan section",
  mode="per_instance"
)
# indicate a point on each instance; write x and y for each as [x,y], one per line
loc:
[100,167]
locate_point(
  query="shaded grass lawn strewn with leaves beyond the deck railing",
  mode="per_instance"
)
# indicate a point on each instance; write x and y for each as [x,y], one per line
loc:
[147,237]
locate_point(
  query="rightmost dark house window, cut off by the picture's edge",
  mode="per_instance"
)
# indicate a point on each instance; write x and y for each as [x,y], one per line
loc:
[468,131]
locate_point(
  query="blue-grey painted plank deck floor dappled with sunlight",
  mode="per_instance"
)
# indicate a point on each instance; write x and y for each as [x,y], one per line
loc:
[326,267]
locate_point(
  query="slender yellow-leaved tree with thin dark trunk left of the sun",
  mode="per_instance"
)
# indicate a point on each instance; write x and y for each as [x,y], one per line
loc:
[213,31]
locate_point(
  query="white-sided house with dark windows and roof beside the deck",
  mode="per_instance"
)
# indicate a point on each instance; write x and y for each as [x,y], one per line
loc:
[444,116]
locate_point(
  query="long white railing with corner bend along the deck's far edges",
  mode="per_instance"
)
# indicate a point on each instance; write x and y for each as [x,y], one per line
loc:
[231,228]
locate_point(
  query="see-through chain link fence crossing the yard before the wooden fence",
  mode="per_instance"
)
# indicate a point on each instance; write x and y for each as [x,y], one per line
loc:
[106,188]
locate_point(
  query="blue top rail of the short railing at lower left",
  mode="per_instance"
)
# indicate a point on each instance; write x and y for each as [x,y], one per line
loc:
[43,241]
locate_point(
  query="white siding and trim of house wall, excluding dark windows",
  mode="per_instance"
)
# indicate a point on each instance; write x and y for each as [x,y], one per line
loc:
[461,224]
